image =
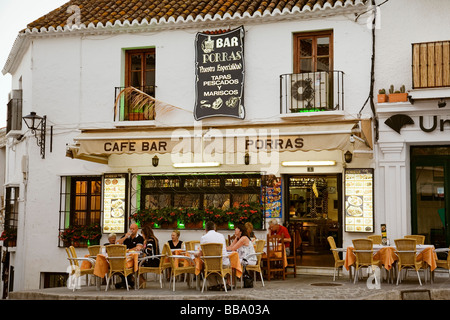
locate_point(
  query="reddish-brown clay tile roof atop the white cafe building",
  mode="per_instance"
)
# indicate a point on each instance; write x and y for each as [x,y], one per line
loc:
[104,11]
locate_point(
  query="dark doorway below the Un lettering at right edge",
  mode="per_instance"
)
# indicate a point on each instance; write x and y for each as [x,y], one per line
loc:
[430,200]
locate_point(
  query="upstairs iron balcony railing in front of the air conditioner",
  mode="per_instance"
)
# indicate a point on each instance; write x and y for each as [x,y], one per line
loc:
[312,92]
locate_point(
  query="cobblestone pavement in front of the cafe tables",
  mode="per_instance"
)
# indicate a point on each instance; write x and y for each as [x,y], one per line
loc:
[302,287]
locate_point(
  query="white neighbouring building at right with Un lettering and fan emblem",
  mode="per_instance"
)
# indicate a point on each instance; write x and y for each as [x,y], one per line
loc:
[412,167]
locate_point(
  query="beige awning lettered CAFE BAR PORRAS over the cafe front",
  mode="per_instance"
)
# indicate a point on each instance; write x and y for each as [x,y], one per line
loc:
[98,145]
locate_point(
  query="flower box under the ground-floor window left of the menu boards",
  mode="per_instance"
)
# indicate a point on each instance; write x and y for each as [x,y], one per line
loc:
[81,236]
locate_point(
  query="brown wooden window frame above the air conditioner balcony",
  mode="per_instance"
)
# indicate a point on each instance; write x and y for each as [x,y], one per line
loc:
[314,36]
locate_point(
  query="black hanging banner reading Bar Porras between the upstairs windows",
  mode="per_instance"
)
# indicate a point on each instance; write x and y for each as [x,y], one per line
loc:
[219,70]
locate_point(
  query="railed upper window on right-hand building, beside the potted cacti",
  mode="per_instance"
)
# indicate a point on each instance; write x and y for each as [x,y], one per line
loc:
[431,64]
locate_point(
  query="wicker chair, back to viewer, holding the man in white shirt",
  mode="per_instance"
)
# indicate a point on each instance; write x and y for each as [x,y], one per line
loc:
[212,257]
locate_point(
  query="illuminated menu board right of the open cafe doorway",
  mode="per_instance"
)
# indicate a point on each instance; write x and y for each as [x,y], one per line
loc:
[359,200]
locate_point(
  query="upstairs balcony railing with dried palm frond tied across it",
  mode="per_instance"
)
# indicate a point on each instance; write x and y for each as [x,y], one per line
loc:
[134,103]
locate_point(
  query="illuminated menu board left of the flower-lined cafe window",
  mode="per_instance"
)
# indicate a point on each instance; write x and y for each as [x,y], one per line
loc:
[114,203]
